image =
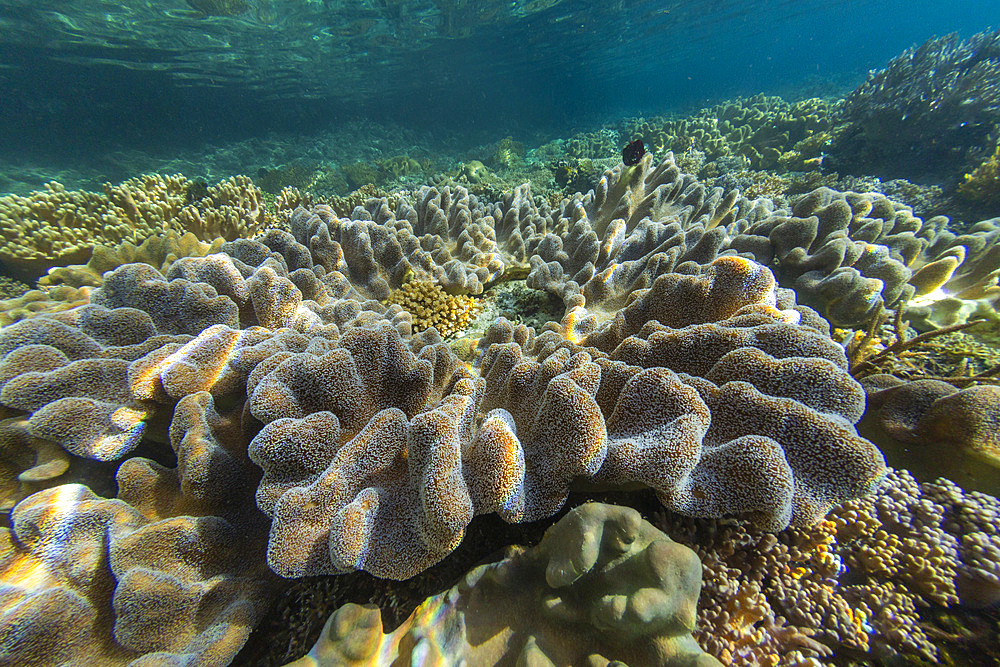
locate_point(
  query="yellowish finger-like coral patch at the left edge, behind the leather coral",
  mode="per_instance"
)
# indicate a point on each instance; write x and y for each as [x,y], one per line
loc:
[58,227]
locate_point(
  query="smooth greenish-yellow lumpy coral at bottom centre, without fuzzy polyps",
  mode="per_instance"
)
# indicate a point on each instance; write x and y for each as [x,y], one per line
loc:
[602,585]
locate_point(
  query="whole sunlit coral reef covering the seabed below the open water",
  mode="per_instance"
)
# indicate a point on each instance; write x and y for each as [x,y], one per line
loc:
[222,412]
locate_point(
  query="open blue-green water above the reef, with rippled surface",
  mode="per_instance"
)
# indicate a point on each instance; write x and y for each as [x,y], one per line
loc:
[92,75]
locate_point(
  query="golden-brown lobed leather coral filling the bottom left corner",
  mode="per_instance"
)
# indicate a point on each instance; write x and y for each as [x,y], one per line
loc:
[162,574]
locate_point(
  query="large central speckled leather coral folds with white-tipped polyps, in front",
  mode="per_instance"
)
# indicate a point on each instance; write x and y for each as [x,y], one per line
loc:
[737,410]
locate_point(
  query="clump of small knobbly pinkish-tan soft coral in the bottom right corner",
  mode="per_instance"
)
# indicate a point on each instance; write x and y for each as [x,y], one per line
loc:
[856,583]
